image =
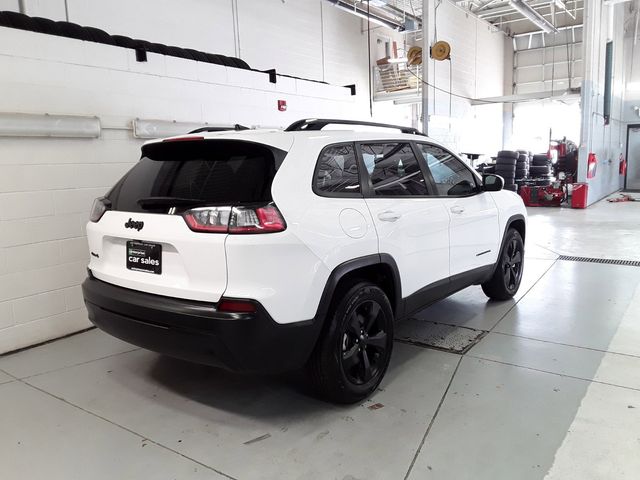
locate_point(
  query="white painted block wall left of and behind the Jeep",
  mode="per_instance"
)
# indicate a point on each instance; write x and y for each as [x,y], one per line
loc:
[47,185]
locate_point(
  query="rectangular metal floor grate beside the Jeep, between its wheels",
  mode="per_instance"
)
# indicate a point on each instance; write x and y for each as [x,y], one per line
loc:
[450,338]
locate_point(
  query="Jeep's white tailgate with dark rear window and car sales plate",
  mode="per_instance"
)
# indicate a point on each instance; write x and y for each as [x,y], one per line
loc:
[143,242]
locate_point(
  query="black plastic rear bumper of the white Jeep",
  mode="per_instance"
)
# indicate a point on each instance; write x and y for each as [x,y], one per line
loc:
[196,331]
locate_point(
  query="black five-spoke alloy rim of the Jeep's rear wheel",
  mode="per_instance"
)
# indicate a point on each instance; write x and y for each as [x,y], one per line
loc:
[364,343]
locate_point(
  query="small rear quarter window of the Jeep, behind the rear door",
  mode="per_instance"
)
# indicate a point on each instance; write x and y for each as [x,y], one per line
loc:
[337,171]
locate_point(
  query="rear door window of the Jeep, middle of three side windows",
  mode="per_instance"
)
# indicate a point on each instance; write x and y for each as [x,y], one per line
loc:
[393,169]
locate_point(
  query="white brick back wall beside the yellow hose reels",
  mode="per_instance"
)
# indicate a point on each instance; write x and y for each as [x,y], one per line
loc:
[476,70]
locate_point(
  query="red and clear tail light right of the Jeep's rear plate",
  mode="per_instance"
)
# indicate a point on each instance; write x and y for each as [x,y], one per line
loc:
[263,219]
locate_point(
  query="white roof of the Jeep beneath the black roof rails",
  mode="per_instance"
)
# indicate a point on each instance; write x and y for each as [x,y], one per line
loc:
[284,140]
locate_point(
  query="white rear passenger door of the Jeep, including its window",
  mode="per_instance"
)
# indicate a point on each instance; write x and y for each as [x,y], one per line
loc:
[412,226]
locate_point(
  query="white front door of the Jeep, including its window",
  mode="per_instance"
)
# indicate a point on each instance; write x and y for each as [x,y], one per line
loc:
[474,229]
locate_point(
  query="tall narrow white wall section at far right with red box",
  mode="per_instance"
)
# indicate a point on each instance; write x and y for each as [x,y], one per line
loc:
[607,142]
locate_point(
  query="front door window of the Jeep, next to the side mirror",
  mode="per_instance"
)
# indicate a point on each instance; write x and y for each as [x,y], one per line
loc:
[450,175]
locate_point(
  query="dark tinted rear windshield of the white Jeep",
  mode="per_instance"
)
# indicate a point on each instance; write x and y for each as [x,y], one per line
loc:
[184,174]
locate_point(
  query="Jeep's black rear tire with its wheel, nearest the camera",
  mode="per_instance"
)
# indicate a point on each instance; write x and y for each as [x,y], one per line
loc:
[337,364]
